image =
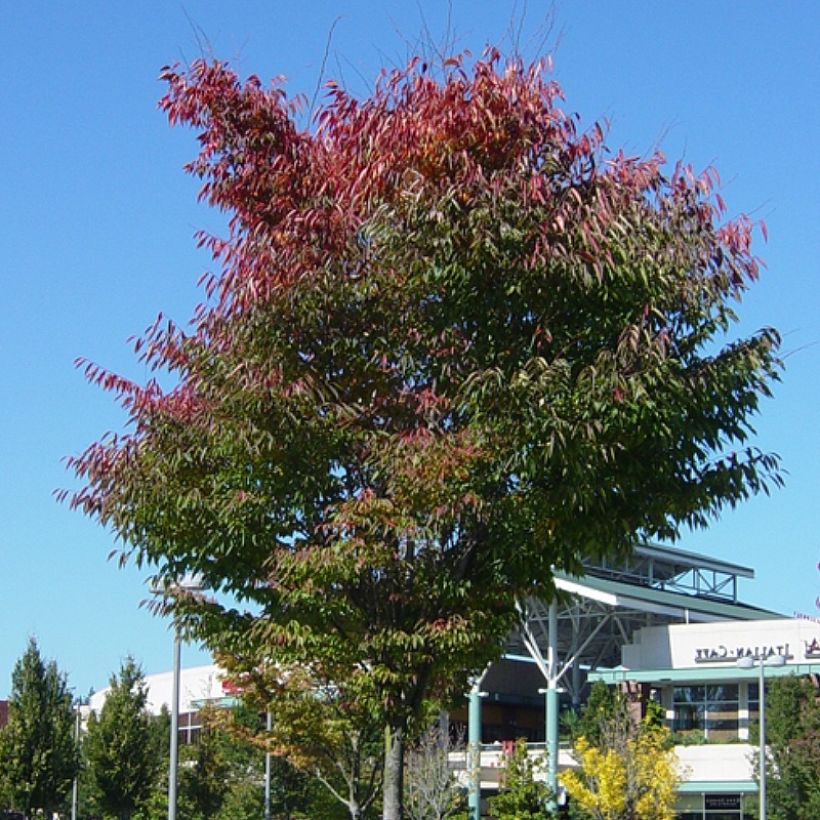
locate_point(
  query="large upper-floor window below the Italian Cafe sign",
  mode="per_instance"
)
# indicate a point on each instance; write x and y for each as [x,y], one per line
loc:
[706,711]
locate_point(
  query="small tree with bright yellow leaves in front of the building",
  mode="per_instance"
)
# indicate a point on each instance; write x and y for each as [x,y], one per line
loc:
[627,767]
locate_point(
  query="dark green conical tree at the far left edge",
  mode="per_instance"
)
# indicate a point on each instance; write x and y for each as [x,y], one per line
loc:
[38,750]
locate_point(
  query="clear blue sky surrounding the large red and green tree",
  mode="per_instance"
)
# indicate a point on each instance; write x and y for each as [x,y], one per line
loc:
[97,221]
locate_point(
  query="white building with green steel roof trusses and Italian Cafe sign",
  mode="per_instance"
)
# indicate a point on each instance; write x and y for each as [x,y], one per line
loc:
[667,625]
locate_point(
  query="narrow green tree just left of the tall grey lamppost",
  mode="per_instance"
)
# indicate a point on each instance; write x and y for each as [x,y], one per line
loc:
[121,747]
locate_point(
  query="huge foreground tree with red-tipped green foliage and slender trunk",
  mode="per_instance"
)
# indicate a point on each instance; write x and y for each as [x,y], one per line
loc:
[453,345]
